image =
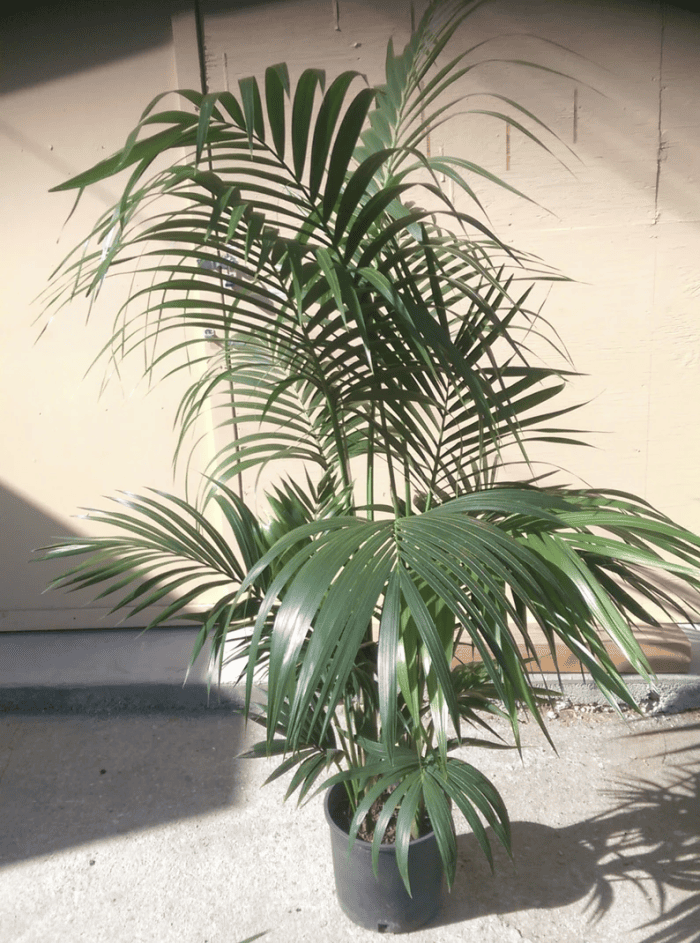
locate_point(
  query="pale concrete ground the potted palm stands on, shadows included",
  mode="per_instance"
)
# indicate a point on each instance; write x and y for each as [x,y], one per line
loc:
[125,820]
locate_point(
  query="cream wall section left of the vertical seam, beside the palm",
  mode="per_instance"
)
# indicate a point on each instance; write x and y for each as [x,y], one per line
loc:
[73,82]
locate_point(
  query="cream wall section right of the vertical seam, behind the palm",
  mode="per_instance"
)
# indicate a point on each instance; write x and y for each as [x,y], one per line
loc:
[616,204]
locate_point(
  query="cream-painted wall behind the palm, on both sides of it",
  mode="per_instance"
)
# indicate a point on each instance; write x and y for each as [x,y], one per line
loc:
[623,222]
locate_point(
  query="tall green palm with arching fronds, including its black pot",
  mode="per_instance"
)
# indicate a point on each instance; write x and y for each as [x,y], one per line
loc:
[367,340]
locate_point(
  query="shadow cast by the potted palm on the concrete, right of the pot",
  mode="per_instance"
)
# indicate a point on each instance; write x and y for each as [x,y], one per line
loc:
[650,837]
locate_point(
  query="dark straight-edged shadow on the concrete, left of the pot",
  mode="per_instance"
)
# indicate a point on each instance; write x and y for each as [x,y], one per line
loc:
[66,779]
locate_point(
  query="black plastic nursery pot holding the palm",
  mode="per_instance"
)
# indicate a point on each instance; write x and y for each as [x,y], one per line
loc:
[382,903]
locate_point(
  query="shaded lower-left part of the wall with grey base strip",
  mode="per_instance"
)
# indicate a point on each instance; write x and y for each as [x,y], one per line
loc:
[62,639]
